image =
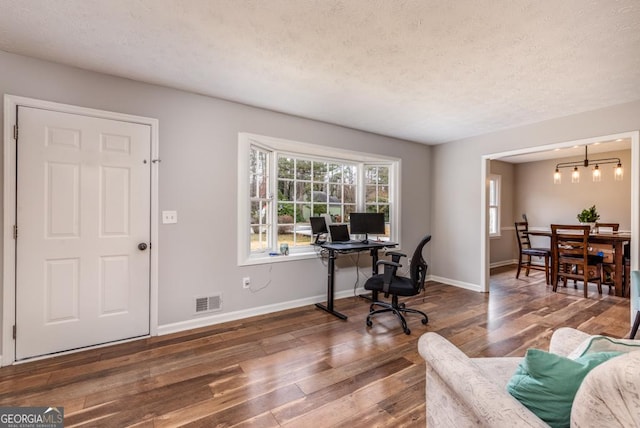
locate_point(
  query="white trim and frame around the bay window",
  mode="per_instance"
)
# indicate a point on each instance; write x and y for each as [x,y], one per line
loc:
[278,145]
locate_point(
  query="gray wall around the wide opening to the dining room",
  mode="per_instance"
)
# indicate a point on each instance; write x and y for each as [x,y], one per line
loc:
[458,183]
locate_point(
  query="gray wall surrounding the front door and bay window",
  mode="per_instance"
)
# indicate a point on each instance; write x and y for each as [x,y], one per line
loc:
[198,178]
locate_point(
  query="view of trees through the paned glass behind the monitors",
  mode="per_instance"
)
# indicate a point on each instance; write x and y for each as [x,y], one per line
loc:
[304,187]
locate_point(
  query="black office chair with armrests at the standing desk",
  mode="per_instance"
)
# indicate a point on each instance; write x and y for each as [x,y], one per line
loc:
[389,283]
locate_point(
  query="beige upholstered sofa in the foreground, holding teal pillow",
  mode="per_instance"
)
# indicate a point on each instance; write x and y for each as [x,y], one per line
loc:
[471,392]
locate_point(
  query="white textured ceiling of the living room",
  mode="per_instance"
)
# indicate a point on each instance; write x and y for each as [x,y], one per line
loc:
[430,71]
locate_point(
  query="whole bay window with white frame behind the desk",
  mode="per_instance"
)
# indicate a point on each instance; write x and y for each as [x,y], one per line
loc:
[282,183]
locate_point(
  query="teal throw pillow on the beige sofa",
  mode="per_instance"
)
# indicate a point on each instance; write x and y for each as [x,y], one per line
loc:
[547,383]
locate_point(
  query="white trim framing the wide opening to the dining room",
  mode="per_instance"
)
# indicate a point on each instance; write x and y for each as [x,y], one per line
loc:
[635,195]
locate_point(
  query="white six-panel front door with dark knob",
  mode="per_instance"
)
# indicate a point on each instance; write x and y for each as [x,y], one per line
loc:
[83,231]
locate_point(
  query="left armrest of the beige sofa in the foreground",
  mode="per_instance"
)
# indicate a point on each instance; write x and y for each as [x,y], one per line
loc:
[483,402]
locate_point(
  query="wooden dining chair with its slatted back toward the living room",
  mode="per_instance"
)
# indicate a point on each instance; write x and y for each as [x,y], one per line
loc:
[571,258]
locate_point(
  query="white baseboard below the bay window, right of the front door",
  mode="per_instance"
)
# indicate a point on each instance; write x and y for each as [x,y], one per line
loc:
[246,313]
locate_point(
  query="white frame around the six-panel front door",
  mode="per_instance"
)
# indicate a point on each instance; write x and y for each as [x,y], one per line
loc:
[11,103]
